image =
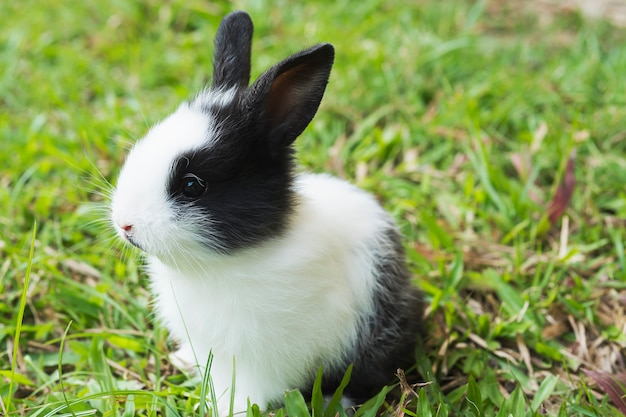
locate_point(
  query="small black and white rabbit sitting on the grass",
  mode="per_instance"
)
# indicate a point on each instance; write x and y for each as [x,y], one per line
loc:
[281,272]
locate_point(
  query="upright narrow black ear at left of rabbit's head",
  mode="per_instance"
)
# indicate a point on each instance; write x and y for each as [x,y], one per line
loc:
[231,60]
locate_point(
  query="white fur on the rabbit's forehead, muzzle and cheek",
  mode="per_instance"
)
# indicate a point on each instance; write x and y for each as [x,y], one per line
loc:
[140,198]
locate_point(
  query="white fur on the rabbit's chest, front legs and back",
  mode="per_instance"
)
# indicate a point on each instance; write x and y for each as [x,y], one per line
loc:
[281,309]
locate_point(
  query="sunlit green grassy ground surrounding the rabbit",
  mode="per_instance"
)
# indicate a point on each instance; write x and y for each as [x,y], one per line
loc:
[461,117]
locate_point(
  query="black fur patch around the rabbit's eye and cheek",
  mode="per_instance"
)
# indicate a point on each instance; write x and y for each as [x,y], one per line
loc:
[249,197]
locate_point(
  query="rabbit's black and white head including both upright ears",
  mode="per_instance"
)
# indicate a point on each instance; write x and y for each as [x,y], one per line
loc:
[216,175]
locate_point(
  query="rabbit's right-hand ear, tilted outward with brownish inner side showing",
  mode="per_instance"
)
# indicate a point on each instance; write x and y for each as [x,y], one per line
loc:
[290,92]
